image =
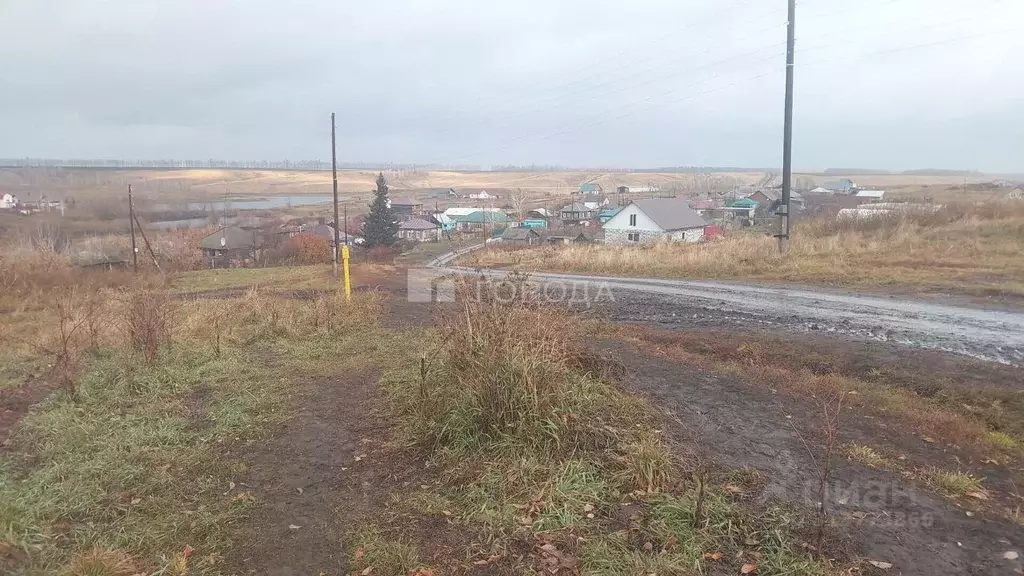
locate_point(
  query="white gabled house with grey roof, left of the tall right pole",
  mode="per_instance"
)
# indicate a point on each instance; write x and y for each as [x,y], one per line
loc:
[655,220]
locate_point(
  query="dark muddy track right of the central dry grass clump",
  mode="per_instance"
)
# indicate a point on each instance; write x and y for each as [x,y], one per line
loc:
[889,520]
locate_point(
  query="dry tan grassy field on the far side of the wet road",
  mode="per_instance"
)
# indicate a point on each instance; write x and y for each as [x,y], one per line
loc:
[961,250]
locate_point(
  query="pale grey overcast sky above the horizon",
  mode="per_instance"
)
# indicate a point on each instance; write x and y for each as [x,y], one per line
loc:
[879,84]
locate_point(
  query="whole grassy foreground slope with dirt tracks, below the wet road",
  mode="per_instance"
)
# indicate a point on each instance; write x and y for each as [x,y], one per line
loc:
[254,422]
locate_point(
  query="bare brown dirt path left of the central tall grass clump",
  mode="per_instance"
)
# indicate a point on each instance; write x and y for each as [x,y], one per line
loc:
[308,481]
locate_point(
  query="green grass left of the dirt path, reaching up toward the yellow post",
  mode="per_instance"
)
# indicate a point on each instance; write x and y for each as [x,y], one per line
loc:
[133,469]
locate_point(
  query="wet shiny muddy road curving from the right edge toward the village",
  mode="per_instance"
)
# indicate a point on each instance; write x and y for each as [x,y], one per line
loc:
[989,335]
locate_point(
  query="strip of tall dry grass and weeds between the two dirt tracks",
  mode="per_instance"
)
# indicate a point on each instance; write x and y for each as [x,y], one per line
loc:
[538,448]
